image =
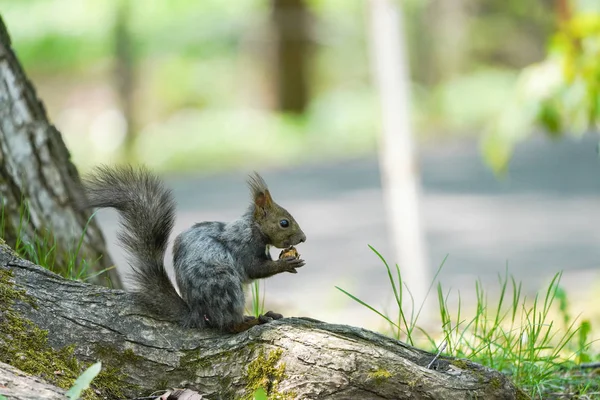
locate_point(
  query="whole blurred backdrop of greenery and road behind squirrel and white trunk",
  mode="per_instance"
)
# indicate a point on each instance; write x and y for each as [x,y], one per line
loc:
[203,91]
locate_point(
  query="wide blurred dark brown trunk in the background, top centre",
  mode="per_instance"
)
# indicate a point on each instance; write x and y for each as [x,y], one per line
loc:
[291,25]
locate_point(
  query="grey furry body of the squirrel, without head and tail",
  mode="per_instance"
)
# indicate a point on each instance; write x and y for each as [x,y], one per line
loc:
[210,266]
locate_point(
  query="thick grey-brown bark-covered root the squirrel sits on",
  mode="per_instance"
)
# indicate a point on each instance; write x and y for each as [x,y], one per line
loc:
[293,357]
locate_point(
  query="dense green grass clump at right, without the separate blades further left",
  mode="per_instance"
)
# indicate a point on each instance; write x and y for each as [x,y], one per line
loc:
[513,335]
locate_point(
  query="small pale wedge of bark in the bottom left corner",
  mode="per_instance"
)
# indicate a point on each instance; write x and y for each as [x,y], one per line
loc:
[16,385]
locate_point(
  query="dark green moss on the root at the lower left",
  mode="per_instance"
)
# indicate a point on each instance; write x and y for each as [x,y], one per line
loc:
[25,346]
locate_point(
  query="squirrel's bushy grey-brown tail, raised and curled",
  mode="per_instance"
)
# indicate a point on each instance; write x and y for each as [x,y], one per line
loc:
[147,211]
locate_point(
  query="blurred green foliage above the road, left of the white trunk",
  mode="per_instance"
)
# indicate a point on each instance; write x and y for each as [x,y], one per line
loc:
[194,83]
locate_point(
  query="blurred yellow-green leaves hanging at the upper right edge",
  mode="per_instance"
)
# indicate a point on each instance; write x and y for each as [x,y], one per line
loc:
[560,95]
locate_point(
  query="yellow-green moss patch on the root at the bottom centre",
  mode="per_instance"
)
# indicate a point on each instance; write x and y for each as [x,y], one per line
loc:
[264,372]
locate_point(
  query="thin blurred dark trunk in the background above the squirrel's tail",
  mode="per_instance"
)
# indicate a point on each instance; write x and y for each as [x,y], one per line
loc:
[124,73]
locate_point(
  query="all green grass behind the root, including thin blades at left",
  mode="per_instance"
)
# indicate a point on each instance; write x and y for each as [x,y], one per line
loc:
[515,335]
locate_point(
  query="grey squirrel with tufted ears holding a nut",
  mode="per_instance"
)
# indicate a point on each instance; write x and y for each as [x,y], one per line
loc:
[212,260]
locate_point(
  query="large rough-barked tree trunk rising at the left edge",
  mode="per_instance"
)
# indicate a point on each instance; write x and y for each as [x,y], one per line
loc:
[35,168]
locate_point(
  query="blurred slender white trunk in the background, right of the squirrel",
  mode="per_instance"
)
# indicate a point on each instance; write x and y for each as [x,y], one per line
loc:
[400,179]
